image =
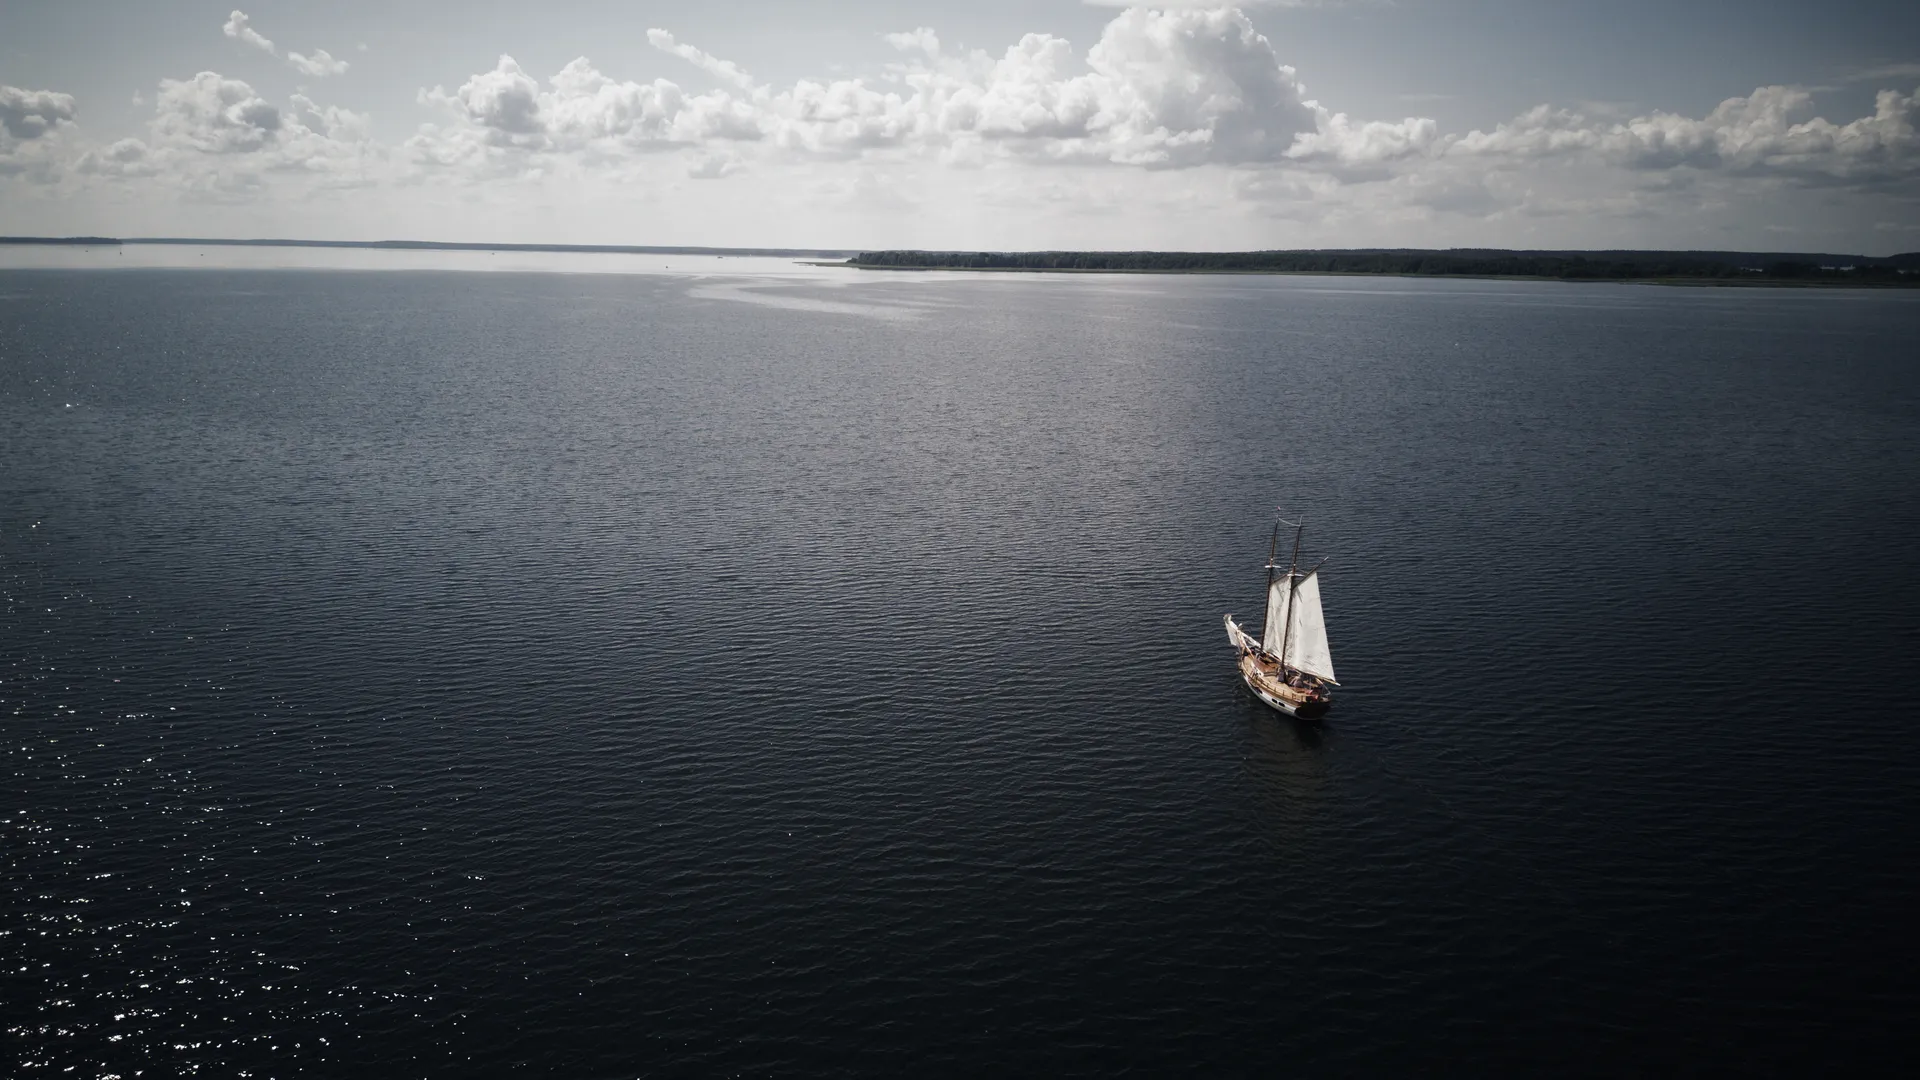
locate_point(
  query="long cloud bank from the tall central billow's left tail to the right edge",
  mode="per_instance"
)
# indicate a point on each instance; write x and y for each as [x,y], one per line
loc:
[1163,89]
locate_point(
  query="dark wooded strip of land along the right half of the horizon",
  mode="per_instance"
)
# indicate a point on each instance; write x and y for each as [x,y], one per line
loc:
[1677,268]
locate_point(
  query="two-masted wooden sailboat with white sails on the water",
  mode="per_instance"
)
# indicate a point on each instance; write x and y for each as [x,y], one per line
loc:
[1289,666]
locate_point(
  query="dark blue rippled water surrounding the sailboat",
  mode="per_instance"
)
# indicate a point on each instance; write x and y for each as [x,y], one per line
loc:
[588,675]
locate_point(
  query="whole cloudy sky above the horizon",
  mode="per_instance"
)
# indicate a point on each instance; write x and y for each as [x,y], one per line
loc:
[974,126]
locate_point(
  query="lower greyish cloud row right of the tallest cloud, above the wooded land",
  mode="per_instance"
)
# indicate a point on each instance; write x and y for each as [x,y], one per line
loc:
[1560,166]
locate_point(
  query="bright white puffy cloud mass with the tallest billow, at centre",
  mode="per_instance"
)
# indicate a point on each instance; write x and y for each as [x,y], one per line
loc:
[1161,89]
